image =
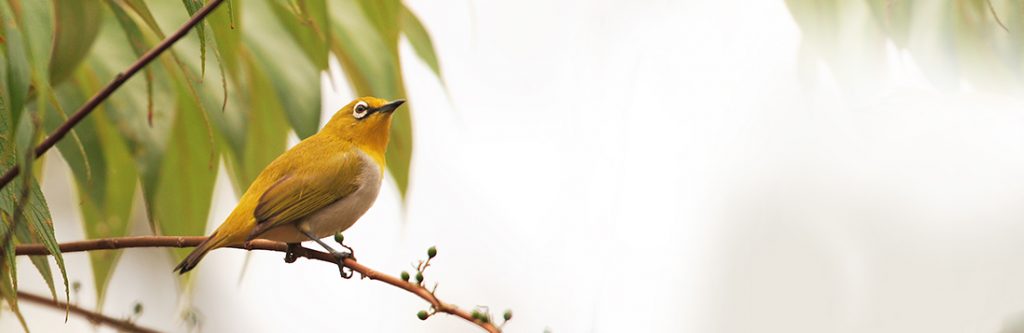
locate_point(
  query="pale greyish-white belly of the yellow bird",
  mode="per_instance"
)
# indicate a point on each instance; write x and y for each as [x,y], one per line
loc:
[335,218]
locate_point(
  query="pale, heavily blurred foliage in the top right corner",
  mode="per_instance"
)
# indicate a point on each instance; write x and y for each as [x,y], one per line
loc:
[952,41]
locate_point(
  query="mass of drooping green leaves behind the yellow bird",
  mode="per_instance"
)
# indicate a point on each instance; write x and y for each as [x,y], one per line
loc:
[230,92]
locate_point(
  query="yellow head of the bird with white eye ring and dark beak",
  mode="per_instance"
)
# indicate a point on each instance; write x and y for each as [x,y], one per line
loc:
[366,121]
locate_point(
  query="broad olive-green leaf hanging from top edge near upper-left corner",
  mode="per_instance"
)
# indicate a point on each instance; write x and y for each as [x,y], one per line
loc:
[76,30]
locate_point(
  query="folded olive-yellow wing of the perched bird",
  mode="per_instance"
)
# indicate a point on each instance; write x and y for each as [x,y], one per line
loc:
[307,190]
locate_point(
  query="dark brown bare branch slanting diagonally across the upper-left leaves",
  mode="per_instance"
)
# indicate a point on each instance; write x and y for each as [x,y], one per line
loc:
[120,79]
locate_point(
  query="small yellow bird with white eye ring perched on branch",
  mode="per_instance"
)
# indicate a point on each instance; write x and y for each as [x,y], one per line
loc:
[317,189]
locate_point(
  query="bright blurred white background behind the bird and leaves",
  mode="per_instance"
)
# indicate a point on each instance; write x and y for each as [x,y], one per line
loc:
[612,166]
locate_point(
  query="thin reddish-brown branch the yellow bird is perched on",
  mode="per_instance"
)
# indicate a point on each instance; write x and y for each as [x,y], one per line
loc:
[183,242]
